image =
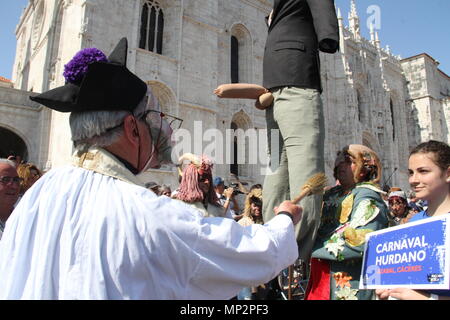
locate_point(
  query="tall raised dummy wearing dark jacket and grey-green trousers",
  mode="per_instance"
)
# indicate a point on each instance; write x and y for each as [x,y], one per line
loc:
[298,29]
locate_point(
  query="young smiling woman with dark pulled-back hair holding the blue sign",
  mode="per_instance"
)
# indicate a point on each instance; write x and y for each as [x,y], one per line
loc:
[429,177]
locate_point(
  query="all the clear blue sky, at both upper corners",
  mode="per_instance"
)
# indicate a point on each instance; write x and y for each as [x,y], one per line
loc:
[409,27]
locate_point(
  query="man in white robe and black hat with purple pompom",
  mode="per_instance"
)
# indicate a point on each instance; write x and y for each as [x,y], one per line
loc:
[93,231]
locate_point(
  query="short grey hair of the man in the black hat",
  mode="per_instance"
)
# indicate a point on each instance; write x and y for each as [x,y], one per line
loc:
[92,128]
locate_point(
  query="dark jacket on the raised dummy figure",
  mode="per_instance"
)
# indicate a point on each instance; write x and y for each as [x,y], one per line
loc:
[298,30]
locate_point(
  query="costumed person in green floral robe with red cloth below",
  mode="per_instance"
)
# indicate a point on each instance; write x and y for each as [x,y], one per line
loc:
[347,216]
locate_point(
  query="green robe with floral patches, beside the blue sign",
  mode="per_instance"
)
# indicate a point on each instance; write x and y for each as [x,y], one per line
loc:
[346,219]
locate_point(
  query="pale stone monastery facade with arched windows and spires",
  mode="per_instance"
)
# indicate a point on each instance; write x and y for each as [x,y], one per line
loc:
[184,49]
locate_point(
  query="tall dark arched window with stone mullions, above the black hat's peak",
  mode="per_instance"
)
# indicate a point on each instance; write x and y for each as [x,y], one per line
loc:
[152,27]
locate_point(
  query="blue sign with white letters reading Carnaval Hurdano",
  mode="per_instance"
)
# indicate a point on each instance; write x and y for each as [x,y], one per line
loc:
[415,255]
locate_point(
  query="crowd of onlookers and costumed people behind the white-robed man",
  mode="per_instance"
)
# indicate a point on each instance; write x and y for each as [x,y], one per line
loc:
[354,207]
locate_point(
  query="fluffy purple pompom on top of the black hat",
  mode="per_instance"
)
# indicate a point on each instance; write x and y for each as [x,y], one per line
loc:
[75,70]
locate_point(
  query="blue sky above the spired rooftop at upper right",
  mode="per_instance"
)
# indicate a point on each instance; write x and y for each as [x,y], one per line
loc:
[409,27]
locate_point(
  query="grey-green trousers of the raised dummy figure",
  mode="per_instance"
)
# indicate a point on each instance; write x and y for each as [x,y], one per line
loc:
[298,113]
